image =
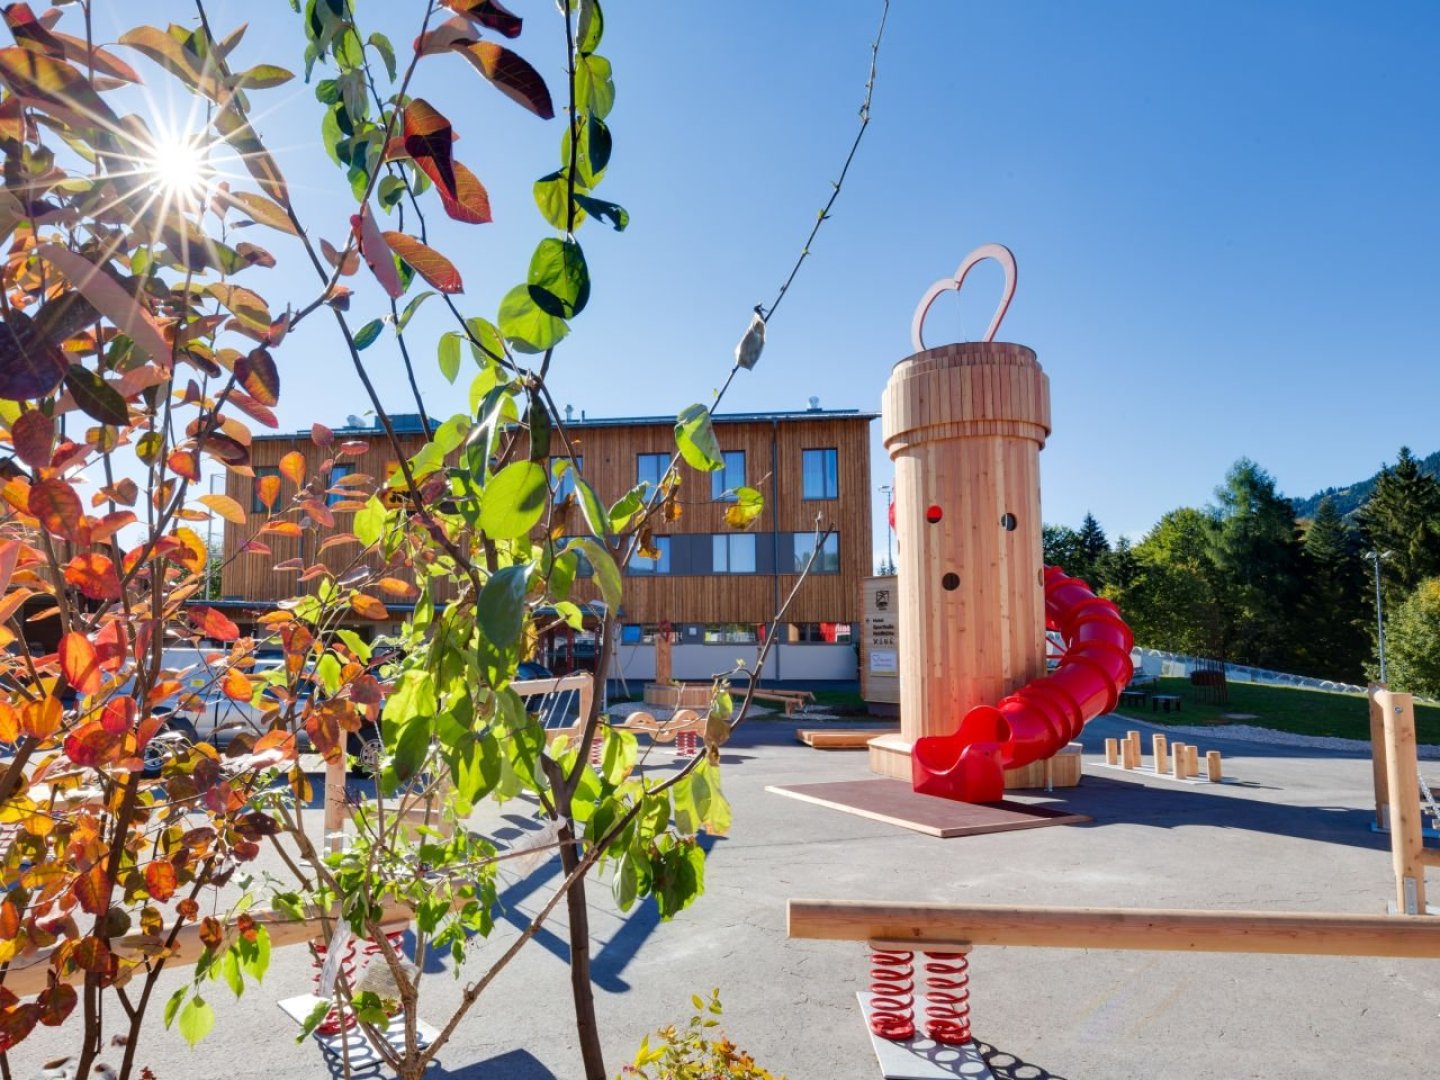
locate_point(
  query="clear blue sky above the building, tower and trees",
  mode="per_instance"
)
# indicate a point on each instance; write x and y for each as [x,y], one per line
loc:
[1226,220]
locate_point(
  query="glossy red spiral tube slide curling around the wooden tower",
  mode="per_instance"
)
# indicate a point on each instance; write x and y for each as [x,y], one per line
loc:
[1042,716]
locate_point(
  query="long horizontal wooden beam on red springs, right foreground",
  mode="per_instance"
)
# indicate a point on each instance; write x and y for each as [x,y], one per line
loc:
[921,927]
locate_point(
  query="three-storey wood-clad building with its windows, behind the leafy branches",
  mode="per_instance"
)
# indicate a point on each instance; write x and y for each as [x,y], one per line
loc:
[711,584]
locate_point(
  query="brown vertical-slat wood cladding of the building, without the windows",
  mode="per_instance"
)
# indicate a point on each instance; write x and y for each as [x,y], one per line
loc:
[773,449]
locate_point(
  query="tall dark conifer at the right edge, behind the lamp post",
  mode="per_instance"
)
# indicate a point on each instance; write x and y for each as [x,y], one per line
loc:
[1402,519]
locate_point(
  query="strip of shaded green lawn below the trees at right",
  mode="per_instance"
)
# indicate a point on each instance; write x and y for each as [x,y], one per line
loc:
[1284,709]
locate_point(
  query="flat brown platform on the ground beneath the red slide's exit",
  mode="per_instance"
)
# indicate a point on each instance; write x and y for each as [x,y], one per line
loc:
[896,804]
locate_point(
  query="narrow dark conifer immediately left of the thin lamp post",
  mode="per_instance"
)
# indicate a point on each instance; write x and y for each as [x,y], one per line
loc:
[1336,607]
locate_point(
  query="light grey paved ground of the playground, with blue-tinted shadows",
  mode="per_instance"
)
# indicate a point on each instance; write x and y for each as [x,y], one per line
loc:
[1292,836]
